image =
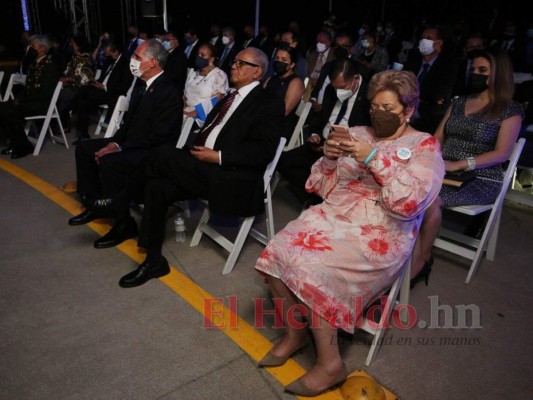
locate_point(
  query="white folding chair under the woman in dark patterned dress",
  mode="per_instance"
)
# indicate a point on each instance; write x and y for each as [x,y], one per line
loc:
[471,248]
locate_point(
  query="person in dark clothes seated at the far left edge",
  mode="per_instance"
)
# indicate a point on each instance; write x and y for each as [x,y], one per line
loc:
[34,99]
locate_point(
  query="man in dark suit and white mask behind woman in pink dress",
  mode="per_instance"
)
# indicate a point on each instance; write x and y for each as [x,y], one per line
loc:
[436,72]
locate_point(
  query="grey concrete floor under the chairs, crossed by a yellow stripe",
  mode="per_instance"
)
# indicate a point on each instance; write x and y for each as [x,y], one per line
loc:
[68,331]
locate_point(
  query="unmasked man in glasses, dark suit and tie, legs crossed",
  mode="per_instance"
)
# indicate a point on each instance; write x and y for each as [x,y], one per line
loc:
[225,166]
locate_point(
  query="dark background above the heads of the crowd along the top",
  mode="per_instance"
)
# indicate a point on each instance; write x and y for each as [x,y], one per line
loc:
[276,13]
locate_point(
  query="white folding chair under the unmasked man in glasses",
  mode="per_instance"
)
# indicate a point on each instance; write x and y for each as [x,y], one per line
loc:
[245,229]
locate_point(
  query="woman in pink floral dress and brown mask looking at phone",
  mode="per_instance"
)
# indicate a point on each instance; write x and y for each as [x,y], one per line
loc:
[339,255]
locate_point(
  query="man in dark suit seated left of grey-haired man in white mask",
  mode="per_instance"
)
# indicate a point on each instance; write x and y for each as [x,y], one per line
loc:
[112,83]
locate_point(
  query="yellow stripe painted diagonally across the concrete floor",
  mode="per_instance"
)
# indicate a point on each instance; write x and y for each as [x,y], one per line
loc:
[245,336]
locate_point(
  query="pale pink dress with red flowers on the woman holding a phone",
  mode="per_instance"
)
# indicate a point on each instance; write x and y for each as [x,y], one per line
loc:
[337,256]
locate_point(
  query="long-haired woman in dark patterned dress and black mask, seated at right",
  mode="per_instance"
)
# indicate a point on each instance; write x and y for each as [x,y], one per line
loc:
[477,134]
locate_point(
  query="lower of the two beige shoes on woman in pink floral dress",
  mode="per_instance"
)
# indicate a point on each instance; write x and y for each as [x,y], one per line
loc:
[318,380]
